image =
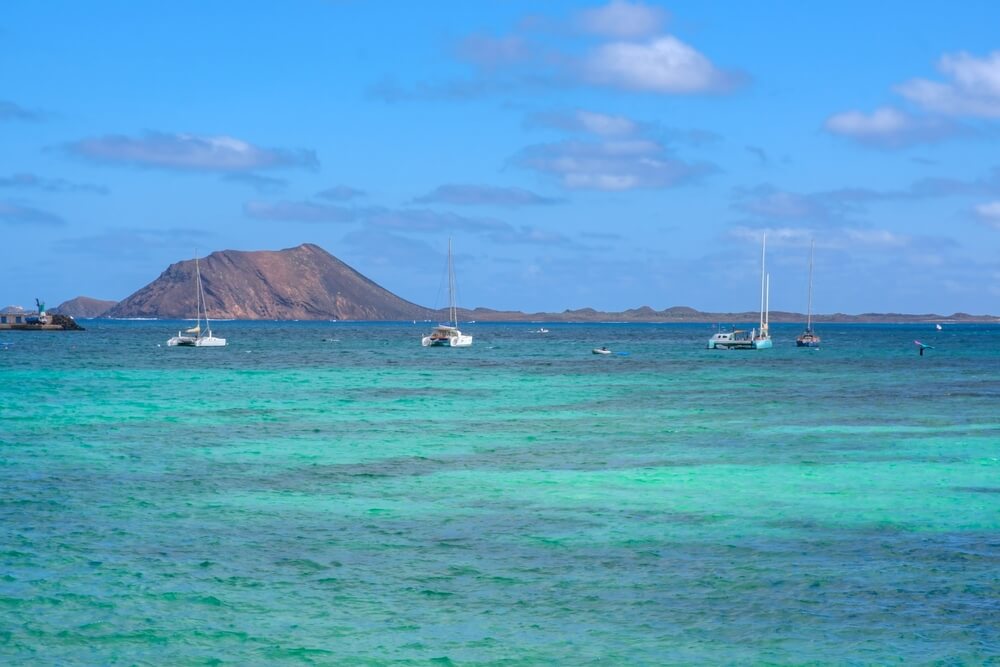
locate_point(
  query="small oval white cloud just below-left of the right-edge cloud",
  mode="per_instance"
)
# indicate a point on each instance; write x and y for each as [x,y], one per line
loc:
[891,128]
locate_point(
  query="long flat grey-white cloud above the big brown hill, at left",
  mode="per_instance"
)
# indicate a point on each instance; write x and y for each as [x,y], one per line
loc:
[189,152]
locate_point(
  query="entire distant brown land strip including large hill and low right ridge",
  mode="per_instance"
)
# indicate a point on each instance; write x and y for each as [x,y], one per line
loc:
[308,283]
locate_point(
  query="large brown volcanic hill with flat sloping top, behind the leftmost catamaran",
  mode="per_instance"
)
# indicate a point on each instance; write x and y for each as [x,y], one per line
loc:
[301,283]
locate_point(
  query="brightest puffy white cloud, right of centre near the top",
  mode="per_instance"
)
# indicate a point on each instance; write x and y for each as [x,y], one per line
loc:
[663,65]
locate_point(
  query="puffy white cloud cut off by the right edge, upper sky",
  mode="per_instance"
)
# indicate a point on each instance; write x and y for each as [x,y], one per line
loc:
[973,89]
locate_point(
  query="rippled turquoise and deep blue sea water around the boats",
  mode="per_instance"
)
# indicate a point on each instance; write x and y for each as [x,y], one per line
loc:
[332,493]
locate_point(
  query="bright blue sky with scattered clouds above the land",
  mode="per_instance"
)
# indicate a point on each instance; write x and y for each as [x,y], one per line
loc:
[578,154]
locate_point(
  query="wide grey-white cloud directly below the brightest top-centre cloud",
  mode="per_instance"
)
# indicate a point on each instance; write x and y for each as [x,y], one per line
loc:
[611,165]
